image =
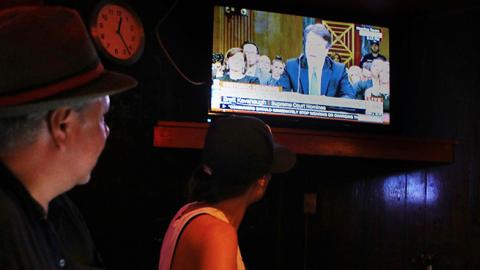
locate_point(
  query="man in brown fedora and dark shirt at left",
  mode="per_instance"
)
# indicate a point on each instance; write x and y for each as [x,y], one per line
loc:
[54,94]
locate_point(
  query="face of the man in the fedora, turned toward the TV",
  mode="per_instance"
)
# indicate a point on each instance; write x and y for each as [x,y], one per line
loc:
[90,134]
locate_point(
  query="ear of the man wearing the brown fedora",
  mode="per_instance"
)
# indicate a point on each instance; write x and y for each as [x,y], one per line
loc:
[59,123]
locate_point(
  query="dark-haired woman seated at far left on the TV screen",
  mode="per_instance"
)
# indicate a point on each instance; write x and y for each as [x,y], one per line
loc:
[235,67]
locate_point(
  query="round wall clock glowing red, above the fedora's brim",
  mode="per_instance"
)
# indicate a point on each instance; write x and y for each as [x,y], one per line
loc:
[118,32]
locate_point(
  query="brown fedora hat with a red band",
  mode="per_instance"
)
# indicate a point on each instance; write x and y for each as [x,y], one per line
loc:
[47,60]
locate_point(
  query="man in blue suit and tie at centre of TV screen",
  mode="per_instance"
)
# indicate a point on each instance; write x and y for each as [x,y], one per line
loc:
[314,72]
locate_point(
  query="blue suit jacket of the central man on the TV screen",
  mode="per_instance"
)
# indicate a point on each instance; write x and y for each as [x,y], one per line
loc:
[335,81]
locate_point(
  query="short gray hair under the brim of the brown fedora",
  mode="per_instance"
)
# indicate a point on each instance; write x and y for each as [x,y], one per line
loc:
[23,130]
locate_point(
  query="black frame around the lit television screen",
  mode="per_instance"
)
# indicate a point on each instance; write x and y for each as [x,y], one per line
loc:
[321,123]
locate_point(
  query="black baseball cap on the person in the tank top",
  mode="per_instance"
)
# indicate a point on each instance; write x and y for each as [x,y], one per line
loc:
[244,145]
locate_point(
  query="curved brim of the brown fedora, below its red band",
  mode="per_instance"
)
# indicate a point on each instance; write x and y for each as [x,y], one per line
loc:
[109,83]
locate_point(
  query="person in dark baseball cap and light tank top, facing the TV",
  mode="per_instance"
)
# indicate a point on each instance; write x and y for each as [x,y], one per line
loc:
[239,158]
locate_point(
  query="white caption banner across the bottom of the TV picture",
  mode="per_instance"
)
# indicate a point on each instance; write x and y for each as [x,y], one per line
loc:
[242,97]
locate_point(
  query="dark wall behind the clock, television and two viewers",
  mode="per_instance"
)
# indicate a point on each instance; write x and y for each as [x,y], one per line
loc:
[371,214]
